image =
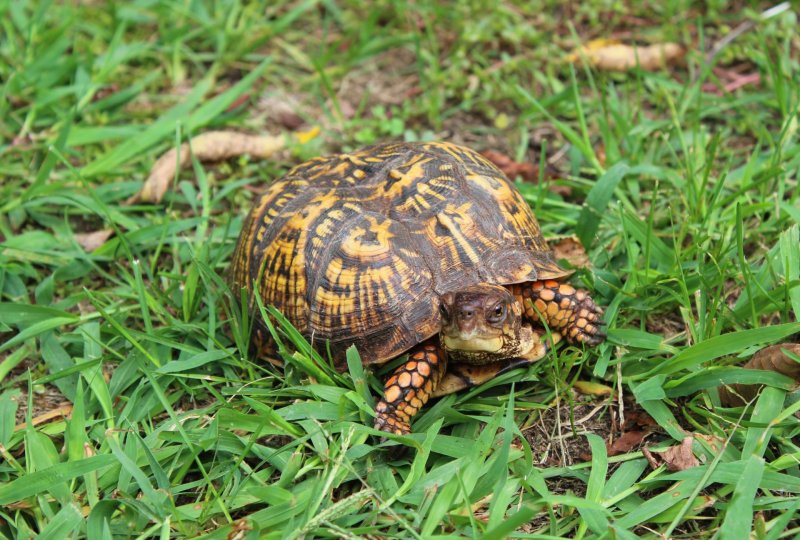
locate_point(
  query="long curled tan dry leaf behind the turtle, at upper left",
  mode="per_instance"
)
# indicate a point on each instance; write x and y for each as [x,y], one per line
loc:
[210,146]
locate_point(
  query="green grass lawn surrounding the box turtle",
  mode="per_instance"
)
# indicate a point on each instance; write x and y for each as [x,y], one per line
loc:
[129,405]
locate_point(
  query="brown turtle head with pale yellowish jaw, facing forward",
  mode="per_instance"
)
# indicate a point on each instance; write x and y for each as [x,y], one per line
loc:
[482,324]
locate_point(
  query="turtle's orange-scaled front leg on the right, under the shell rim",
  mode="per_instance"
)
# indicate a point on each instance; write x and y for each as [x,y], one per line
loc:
[567,310]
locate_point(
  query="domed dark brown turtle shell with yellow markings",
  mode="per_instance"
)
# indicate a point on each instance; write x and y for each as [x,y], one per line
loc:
[357,248]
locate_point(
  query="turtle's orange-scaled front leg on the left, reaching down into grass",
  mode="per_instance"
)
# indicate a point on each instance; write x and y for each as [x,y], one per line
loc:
[409,387]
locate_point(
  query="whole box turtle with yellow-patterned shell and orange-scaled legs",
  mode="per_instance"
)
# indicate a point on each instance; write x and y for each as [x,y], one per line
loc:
[419,248]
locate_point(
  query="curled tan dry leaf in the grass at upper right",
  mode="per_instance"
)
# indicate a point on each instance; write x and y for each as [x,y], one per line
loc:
[611,56]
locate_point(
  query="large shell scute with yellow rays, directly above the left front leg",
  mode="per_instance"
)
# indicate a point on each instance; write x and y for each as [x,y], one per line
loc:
[371,287]
